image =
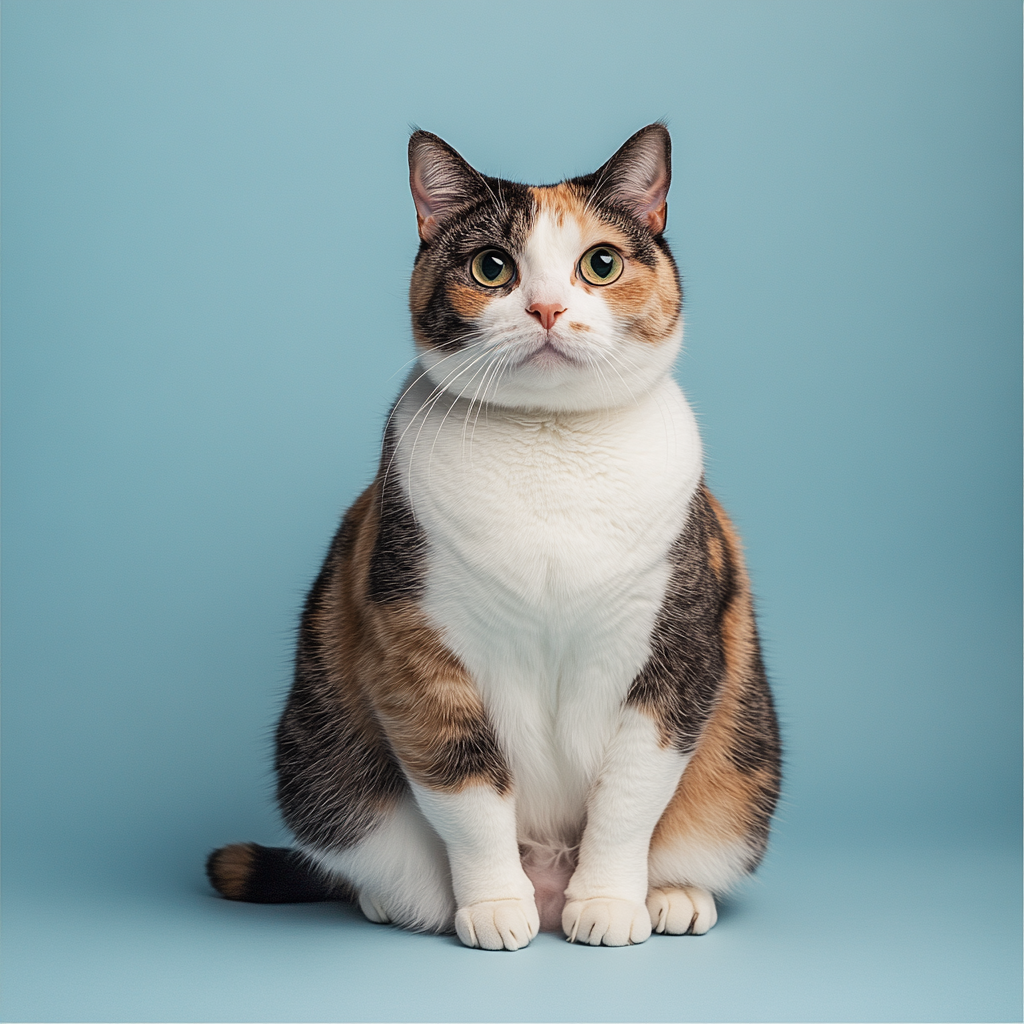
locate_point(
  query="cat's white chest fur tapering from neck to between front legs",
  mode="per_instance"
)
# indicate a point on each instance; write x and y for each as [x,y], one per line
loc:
[548,538]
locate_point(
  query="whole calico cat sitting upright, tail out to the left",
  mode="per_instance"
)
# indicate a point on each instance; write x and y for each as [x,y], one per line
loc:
[529,692]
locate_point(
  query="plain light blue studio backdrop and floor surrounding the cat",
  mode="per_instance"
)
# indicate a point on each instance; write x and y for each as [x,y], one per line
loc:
[207,237]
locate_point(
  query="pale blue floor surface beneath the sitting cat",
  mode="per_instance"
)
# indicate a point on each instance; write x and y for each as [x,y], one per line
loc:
[818,936]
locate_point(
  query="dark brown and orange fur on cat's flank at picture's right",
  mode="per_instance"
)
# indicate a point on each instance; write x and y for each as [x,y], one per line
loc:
[714,699]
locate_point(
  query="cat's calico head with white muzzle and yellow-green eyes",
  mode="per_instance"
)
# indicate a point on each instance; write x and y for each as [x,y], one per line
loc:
[557,297]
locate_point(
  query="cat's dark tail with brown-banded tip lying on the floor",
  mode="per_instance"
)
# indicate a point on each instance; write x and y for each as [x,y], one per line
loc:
[255,874]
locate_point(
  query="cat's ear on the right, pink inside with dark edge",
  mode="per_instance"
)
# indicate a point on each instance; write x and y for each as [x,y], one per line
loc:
[638,177]
